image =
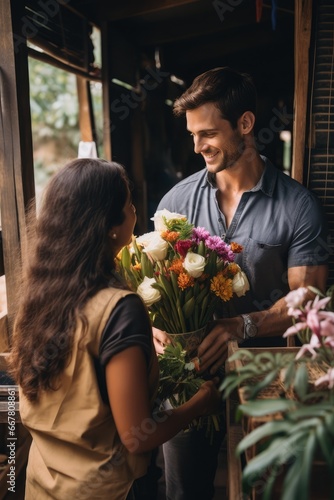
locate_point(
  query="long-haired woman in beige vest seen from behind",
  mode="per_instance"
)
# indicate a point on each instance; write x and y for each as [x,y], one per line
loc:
[82,346]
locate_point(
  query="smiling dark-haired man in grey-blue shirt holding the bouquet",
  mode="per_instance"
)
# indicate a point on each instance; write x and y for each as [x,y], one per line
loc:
[242,197]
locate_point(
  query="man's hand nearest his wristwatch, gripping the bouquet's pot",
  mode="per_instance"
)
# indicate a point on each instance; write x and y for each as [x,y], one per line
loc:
[212,352]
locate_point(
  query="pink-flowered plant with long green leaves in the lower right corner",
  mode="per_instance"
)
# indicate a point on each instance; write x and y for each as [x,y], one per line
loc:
[295,440]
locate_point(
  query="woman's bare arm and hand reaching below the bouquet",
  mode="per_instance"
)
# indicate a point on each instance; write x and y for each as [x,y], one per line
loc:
[139,430]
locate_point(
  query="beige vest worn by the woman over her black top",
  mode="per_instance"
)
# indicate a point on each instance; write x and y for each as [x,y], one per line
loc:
[76,452]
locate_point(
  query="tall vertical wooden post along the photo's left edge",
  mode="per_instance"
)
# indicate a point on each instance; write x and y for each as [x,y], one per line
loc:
[16,164]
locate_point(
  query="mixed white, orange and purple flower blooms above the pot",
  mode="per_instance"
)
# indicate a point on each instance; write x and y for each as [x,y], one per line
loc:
[181,272]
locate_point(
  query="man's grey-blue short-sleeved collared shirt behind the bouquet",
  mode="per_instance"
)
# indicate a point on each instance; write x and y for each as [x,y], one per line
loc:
[279,223]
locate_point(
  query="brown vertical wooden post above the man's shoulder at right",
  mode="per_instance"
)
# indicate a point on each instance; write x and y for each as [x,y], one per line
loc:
[303,22]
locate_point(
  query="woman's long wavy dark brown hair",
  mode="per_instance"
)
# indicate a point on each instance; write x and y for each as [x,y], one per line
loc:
[68,262]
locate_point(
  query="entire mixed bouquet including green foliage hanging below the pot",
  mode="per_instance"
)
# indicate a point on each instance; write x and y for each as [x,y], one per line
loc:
[182,273]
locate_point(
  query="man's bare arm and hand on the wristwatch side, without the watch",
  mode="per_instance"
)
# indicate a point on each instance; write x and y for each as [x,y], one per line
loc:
[271,322]
